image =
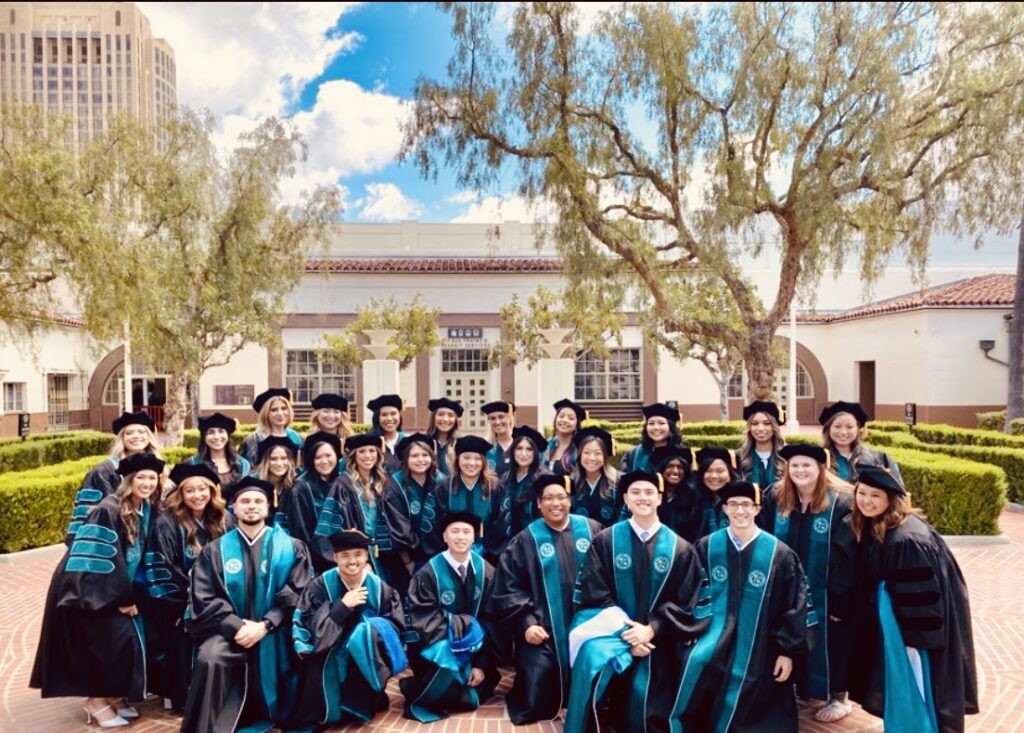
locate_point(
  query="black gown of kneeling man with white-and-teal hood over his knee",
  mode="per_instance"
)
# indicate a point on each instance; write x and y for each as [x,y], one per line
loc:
[672,618]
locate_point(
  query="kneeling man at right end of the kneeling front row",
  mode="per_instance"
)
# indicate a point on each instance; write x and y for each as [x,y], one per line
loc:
[738,677]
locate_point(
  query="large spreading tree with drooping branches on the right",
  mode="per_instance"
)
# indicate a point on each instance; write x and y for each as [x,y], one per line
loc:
[678,141]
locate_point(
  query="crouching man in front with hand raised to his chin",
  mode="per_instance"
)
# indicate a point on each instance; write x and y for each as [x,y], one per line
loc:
[348,630]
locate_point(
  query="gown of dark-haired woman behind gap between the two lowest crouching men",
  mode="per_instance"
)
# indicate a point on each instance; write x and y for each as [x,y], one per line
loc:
[405,508]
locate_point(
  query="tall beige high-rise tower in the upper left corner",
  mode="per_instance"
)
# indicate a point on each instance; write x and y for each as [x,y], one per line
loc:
[89,61]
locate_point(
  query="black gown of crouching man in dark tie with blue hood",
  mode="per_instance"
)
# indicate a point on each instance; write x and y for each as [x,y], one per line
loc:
[431,622]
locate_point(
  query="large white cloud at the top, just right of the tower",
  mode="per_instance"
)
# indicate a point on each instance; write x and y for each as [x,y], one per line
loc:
[249,59]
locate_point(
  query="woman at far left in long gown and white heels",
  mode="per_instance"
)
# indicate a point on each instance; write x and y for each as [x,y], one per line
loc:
[92,642]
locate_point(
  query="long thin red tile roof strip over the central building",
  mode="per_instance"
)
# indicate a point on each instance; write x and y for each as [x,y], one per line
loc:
[436,265]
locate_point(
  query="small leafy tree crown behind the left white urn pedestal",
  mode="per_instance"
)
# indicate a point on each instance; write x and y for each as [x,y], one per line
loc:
[416,326]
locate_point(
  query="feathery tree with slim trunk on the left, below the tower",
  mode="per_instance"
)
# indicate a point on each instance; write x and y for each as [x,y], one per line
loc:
[207,251]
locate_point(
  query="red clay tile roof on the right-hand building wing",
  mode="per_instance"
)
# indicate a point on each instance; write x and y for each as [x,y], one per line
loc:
[992,290]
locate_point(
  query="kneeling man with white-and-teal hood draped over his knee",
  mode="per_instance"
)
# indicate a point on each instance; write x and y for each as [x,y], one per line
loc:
[635,623]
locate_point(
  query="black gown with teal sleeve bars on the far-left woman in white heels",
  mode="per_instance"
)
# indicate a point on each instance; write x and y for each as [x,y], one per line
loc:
[88,648]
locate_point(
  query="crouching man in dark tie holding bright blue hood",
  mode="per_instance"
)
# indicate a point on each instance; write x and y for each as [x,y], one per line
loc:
[453,666]
